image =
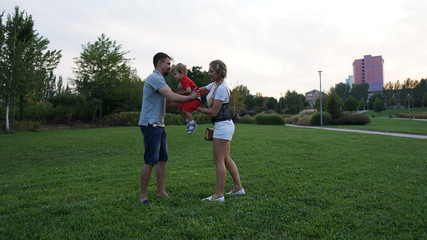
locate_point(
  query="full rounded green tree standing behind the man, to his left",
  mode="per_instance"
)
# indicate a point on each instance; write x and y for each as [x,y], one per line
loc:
[103,74]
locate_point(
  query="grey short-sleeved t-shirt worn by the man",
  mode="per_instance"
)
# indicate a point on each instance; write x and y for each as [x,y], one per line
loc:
[153,103]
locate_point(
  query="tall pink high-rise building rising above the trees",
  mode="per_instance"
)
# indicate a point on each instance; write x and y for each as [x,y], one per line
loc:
[369,70]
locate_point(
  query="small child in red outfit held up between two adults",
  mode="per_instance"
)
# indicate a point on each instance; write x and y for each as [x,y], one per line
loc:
[185,87]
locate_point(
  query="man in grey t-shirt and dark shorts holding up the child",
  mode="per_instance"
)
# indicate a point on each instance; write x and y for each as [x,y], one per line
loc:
[156,96]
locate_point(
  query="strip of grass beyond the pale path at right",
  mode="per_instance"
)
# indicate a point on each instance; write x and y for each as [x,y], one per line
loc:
[391,125]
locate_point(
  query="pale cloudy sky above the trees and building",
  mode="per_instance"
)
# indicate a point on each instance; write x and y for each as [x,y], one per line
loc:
[270,46]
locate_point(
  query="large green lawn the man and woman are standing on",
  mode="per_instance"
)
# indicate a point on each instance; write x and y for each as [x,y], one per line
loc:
[300,183]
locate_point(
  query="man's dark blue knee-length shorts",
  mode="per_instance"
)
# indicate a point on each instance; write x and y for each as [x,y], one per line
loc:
[155,144]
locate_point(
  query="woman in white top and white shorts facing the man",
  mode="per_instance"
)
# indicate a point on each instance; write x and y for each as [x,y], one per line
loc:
[218,99]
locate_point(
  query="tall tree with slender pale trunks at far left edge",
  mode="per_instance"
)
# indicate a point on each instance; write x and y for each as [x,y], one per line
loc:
[26,62]
